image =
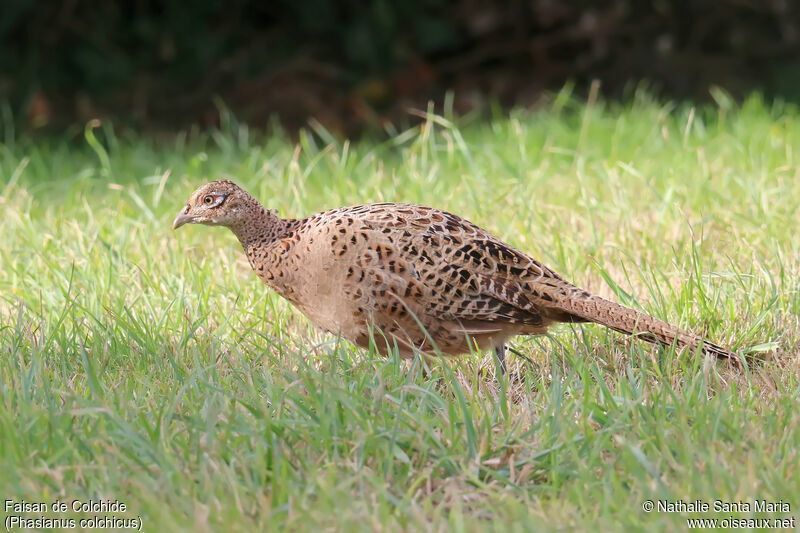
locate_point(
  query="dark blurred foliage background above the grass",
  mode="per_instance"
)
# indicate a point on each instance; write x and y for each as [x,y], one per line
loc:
[353,63]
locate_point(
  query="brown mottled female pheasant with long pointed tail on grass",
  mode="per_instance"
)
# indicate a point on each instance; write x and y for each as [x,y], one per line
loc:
[424,278]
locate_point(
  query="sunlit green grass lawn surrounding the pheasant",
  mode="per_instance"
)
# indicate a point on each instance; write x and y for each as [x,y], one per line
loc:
[153,368]
